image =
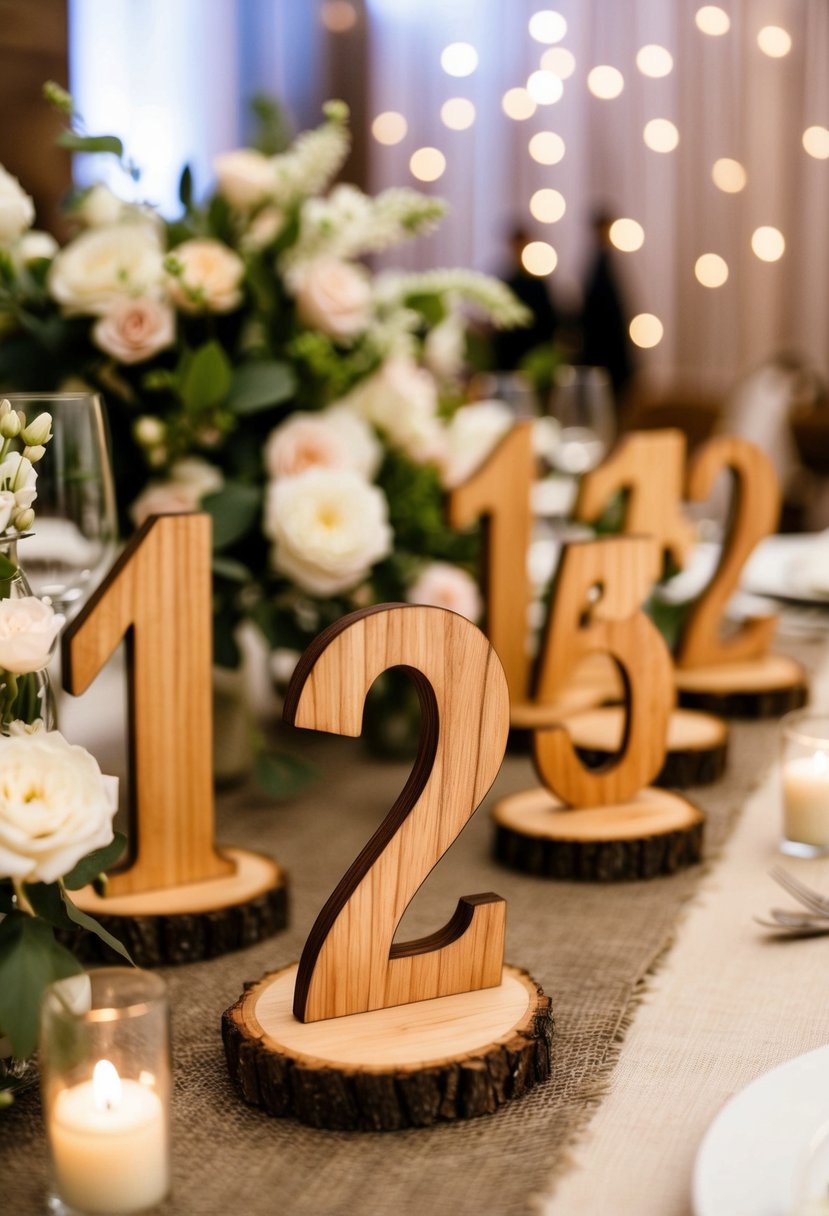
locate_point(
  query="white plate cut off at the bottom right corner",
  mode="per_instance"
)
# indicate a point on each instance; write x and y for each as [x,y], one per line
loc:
[755,1149]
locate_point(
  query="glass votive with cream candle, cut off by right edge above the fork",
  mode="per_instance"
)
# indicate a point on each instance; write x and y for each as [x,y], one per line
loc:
[805,776]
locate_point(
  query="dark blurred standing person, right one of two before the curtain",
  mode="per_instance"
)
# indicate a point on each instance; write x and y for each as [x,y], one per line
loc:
[606,341]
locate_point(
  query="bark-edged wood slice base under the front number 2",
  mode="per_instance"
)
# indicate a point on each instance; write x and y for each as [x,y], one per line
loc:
[456,1057]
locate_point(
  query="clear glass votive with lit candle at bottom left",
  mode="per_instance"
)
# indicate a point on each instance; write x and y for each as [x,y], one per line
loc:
[105,1074]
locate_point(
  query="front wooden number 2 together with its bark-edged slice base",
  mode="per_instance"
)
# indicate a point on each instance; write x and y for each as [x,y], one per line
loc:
[366,1033]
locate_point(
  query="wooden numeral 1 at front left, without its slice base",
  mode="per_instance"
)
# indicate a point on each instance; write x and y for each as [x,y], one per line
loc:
[159,598]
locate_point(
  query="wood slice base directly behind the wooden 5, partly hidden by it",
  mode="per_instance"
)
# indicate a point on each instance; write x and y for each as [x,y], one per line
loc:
[697,744]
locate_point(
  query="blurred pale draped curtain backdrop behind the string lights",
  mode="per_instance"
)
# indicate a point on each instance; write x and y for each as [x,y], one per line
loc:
[174,80]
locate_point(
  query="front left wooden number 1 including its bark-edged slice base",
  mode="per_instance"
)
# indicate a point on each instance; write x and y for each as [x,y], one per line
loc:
[181,898]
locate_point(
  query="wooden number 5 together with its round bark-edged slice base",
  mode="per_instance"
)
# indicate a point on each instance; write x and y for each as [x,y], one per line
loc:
[606,823]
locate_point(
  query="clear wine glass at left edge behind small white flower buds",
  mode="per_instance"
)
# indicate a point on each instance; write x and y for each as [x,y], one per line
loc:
[76,525]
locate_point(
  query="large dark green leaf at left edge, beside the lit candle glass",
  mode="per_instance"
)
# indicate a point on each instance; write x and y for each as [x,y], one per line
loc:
[31,960]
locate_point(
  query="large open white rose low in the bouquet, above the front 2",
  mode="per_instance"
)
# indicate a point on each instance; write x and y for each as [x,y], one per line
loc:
[329,528]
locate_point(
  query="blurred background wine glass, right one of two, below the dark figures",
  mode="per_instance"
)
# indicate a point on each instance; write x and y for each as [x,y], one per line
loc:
[582,403]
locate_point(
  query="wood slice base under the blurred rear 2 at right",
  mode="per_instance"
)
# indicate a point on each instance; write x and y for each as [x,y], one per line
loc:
[765,688]
